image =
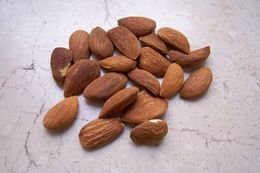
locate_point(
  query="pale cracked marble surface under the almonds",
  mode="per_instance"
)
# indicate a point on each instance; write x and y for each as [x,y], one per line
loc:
[217,133]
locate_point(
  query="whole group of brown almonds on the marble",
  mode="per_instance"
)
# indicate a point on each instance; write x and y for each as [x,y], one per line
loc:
[145,56]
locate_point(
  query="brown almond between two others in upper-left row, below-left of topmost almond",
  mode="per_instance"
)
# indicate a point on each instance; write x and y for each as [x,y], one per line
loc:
[100,44]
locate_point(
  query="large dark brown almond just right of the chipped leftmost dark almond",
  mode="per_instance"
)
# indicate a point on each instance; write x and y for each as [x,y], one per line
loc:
[79,76]
